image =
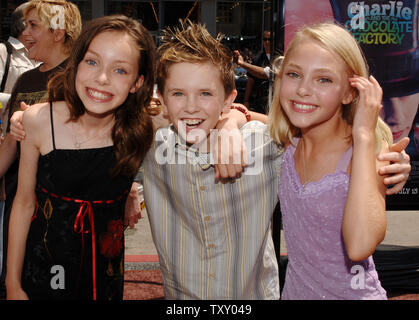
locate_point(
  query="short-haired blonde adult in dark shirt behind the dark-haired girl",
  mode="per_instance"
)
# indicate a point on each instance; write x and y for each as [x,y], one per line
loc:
[51,30]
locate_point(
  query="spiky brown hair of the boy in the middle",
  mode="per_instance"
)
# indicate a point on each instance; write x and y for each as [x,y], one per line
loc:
[193,43]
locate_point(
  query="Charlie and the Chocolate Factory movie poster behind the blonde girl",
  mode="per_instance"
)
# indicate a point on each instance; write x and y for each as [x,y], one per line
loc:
[388,34]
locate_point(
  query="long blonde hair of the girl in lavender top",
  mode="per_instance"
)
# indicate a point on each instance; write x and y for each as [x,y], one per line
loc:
[338,41]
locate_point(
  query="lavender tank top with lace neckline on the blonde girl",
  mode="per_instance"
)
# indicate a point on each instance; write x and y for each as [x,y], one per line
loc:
[318,265]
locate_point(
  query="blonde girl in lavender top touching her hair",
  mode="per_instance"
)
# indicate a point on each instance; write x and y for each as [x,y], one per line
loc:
[325,111]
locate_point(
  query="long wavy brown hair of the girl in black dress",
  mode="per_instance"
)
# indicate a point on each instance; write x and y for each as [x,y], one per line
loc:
[132,133]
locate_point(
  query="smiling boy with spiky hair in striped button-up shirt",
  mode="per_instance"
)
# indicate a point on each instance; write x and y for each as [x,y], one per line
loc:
[213,240]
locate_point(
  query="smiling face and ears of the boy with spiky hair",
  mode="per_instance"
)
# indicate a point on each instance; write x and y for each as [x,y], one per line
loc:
[196,102]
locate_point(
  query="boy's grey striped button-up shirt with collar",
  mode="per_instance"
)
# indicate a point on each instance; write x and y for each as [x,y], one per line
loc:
[213,240]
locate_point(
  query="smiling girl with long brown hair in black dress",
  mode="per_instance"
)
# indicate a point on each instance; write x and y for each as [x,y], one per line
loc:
[66,226]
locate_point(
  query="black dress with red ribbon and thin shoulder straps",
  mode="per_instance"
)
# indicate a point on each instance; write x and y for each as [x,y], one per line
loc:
[75,246]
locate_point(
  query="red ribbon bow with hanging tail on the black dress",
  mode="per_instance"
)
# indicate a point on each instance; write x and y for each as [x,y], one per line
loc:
[86,208]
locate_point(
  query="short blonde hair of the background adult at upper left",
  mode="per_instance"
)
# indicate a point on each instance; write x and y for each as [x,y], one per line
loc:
[47,11]
